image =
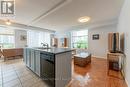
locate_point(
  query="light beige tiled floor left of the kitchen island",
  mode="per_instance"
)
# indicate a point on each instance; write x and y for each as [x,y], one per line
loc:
[13,73]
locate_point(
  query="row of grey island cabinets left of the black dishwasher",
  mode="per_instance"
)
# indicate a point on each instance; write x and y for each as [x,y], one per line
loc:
[32,60]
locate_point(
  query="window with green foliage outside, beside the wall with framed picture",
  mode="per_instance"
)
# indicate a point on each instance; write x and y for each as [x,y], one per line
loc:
[79,39]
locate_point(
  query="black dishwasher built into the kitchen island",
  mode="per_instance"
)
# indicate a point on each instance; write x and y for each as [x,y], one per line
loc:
[48,67]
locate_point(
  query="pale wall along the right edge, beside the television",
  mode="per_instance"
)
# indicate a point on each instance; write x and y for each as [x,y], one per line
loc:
[124,27]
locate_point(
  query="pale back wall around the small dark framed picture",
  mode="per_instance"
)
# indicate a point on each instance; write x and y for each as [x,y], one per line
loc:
[99,48]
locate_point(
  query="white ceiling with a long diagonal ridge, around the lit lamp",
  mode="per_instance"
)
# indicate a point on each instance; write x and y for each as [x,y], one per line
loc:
[63,14]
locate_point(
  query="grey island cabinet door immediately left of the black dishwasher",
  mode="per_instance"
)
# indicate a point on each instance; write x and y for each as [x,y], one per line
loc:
[37,62]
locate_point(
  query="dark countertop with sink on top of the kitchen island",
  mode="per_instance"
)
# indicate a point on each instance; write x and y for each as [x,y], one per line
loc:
[54,50]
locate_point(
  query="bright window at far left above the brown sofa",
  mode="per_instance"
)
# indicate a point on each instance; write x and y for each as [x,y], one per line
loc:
[7,38]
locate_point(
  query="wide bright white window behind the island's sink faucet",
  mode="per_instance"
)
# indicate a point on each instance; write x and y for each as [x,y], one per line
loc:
[35,38]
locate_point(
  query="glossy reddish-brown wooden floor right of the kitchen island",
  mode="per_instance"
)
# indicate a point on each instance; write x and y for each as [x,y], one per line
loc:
[95,75]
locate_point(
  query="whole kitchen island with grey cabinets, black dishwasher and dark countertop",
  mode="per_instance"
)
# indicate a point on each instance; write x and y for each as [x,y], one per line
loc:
[52,64]
